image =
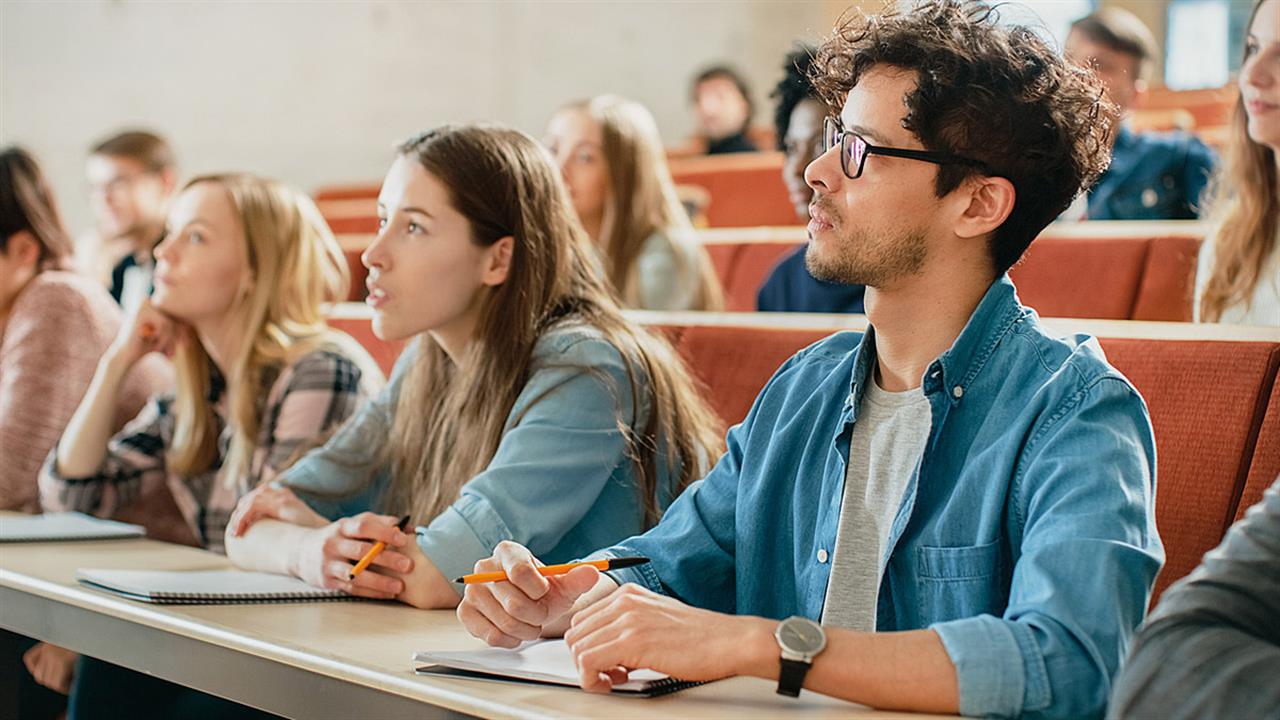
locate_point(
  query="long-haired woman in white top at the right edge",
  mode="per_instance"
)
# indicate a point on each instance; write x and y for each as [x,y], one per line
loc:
[1238,275]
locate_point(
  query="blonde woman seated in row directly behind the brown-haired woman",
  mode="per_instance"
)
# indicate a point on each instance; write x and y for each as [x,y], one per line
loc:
[611,158]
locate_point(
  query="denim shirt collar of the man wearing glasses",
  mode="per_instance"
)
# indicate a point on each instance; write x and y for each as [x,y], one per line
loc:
[953,371]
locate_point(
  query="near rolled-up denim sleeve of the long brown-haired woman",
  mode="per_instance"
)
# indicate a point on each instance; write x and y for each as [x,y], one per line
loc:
[563,446]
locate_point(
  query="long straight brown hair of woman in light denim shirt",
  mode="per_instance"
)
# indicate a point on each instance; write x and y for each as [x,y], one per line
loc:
[450,418]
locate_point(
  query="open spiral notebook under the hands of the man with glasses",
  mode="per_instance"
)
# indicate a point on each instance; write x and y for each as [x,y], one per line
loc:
[547,663]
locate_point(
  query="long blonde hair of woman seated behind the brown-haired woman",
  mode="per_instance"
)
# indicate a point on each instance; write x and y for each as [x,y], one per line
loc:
[642,200]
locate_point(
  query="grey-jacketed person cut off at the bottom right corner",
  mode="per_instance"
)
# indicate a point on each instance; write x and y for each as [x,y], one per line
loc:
[1212,649]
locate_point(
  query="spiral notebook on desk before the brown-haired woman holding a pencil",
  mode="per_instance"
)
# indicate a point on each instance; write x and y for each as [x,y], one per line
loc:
[204,587]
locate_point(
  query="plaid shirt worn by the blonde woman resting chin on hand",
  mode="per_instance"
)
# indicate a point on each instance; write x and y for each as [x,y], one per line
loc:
[308,399]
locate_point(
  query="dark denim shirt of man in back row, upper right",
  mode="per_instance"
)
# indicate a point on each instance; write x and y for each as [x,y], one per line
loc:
[1153,177]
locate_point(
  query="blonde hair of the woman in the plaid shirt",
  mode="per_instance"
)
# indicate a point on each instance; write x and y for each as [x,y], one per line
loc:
[294,268]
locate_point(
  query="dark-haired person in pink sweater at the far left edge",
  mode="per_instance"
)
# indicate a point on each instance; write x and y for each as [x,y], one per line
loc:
[54,326]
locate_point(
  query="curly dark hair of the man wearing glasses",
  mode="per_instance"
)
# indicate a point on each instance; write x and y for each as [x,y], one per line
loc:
[999,95]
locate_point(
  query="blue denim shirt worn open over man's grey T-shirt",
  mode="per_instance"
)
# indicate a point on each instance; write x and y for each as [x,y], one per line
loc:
[1026,539]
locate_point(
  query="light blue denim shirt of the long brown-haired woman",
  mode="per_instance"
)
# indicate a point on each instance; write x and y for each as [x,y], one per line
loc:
[559,484]
